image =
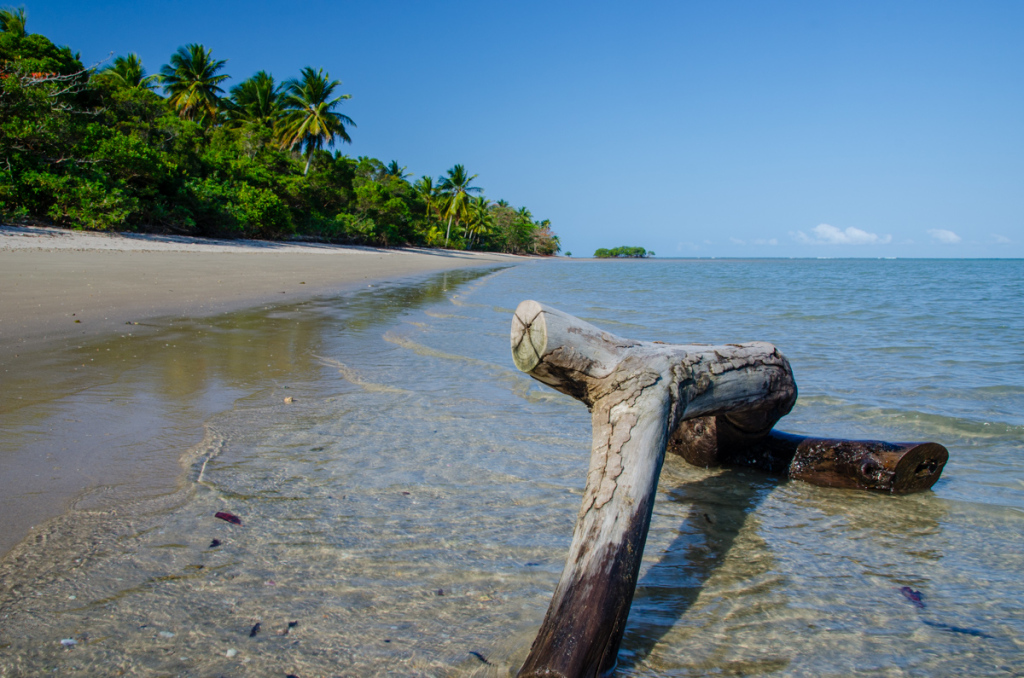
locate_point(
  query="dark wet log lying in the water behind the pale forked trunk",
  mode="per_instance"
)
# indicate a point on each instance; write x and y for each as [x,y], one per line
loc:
[898,469]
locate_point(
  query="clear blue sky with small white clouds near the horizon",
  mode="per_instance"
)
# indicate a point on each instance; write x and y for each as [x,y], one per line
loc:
[690,129]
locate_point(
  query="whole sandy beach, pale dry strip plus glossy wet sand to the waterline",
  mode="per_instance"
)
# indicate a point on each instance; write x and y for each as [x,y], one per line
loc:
[103,338]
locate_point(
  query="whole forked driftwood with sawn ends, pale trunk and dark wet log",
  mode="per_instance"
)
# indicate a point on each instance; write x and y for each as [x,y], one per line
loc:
[638,394]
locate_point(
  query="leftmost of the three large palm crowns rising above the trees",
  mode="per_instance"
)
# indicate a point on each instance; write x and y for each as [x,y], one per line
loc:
[192,81]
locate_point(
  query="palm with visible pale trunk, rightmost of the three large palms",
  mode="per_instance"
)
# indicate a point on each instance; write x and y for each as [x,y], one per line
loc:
[312,119]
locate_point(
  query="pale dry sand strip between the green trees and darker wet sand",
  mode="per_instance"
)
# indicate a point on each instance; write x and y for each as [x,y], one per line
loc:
[58,284]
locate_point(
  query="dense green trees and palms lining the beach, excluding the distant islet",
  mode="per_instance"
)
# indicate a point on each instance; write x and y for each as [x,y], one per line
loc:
[101,149]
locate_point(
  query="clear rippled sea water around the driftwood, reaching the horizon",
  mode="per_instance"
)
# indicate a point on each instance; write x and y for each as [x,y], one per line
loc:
[411,508]
